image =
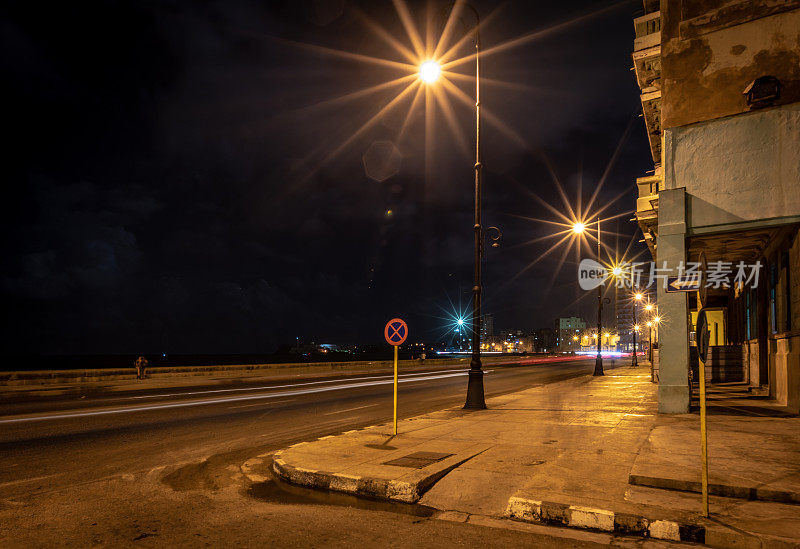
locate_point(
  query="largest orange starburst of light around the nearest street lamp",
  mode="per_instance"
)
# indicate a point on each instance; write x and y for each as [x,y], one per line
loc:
[424,76]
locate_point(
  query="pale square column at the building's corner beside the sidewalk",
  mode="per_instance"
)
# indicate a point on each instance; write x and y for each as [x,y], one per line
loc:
[673,333]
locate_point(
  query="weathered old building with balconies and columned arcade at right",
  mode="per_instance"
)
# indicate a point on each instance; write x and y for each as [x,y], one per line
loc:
[720,93]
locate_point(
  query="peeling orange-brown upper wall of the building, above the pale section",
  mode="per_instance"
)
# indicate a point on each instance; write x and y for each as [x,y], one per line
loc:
[712,49]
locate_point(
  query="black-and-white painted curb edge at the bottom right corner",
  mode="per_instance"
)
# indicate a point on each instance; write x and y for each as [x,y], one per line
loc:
[586,518]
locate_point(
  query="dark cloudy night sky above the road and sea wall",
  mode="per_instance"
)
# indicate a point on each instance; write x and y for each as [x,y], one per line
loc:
[170,187]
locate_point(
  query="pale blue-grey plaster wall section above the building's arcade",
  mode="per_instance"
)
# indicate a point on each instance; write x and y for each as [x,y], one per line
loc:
[739,168]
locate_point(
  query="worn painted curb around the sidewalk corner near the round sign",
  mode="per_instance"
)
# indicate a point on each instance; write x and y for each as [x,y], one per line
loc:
[408,489]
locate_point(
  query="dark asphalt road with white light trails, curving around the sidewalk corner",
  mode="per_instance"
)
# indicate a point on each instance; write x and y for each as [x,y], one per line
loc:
[119,468]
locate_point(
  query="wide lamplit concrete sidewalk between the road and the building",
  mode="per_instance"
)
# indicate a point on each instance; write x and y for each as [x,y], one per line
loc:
[559,454]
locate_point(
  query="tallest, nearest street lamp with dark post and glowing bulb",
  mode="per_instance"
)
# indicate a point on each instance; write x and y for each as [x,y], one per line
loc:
[429,72]
